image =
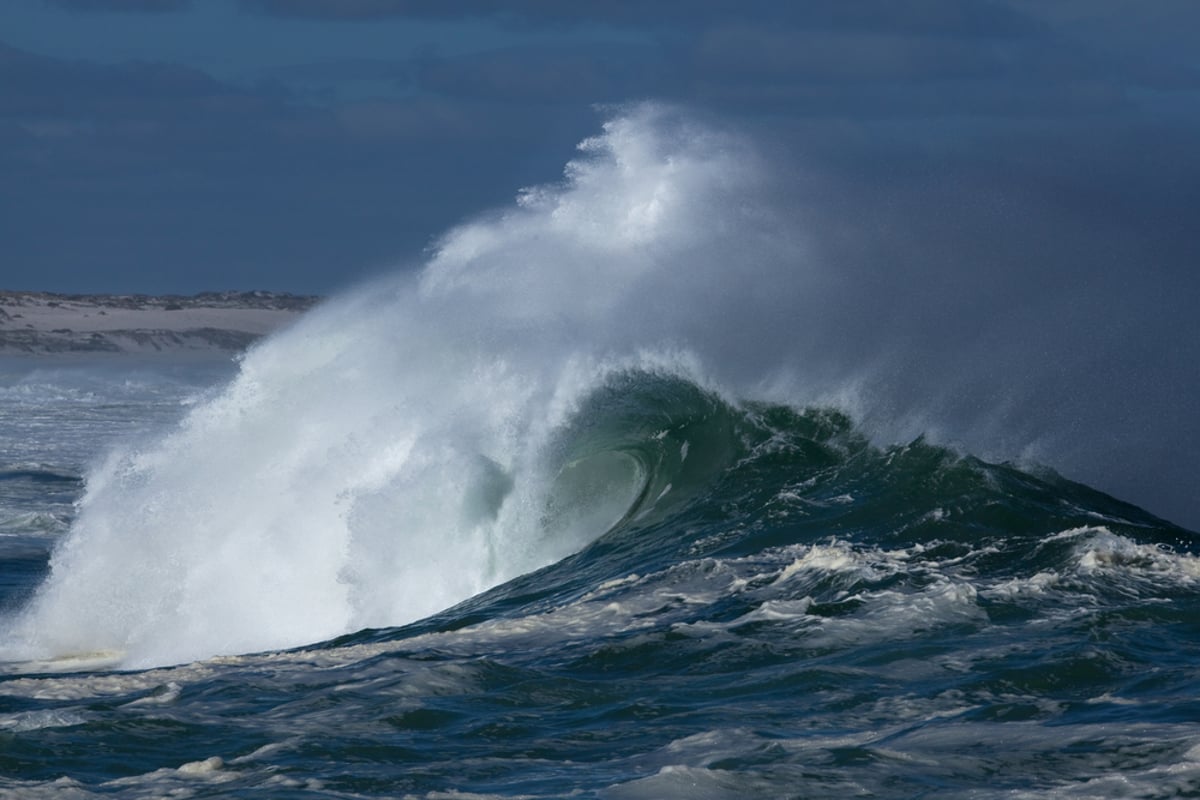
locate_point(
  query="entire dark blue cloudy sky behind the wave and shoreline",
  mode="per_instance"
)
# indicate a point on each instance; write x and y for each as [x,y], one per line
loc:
[1004,194]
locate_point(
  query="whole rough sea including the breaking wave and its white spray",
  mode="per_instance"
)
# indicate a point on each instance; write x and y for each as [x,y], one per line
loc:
[538,520]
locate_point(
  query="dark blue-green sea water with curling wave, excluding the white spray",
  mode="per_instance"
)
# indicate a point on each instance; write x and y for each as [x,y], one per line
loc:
[764,604]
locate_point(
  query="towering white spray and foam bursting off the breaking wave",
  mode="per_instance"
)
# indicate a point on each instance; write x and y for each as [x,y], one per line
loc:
[385,459]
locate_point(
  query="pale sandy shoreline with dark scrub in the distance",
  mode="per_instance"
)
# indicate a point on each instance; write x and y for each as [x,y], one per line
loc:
[41,323]
